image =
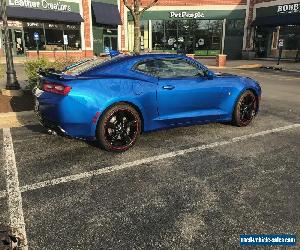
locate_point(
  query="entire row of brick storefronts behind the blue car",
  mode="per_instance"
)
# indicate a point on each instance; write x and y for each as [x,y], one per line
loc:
[203,28]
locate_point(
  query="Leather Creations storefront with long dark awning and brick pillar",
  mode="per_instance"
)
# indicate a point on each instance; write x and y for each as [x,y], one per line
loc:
[50,21]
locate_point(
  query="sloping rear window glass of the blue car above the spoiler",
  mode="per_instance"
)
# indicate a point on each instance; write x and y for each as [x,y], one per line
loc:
[82,66]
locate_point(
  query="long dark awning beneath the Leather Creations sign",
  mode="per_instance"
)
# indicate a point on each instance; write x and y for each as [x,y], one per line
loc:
[45,15]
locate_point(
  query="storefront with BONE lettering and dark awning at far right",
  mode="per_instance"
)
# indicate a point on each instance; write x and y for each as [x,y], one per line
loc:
[276,21]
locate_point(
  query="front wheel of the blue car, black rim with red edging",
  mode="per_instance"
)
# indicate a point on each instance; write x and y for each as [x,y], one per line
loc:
[245,109]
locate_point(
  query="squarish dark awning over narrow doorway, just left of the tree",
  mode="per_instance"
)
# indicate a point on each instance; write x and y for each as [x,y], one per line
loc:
[106,13]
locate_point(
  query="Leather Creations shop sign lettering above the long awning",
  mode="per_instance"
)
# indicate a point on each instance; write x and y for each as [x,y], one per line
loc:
[41,4]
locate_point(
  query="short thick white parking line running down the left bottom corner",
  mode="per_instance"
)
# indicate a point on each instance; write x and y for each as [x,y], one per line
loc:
[14,197]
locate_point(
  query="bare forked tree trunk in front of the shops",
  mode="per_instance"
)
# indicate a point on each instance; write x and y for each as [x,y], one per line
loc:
[136,12]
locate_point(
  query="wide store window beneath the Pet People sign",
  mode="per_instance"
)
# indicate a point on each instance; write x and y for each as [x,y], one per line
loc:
[202,37]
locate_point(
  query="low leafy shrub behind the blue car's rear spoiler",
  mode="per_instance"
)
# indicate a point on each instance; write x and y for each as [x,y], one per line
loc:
[32,66]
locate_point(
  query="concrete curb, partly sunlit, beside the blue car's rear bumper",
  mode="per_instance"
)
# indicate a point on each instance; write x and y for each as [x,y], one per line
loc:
[17,119]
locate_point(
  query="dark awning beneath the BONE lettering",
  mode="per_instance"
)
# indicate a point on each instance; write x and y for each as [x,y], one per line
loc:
[277,20]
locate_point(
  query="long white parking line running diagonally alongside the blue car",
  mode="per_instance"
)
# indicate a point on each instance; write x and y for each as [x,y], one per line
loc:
[156,158]
